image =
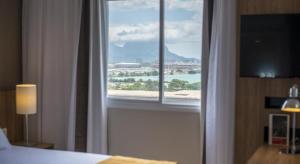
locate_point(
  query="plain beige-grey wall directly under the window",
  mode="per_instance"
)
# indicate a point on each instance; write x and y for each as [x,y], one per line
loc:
[162,135]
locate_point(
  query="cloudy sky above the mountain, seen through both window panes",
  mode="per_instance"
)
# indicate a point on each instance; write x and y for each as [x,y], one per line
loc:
[137,20]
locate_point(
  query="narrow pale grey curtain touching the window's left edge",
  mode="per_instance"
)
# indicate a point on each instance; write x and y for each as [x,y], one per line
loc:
[97,110]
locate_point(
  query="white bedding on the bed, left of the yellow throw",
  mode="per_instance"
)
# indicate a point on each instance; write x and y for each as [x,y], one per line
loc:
[23,155]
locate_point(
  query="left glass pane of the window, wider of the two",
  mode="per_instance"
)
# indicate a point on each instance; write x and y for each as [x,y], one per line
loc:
[133,58]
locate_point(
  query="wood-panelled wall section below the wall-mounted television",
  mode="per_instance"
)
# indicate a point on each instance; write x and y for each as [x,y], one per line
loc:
[251,116]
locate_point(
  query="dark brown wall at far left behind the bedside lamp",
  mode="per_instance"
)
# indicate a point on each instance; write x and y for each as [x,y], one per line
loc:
[10,66]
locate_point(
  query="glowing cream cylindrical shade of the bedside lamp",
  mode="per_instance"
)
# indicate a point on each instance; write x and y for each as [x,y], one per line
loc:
[26,99]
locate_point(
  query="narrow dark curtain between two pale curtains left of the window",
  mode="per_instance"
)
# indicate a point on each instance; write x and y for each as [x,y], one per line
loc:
[82,81]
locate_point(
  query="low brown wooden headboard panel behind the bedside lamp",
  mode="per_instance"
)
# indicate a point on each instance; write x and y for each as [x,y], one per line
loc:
[8,117]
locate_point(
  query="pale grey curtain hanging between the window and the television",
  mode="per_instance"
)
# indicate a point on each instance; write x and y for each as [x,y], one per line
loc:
[220,113]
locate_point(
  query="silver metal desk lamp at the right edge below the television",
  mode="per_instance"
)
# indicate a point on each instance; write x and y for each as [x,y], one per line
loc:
[292,104]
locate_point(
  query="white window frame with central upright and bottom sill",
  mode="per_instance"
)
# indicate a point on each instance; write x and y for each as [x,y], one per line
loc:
[116,102]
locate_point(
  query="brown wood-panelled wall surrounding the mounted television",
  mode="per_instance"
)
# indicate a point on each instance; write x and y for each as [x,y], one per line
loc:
[251,116]
